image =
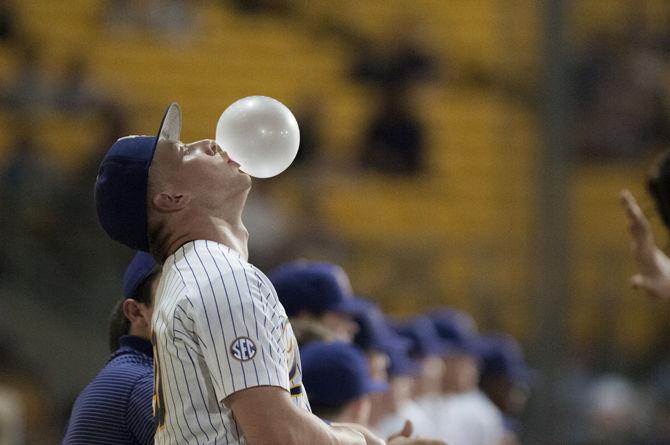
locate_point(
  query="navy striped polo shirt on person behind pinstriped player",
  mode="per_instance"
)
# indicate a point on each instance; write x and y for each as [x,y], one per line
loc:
[116,407]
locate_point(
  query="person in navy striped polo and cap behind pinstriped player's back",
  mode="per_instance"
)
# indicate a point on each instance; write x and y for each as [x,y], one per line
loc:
[116,407]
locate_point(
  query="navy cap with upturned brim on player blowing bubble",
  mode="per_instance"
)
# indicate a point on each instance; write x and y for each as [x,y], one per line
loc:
[121,185]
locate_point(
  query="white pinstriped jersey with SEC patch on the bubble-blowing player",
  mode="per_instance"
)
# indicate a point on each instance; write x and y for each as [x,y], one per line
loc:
[218,328]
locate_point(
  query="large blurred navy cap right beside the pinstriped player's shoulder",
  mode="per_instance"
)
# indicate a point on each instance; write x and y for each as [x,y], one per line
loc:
[314,288]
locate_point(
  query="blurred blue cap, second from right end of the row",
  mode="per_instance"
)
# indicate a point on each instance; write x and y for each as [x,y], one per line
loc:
[457,331]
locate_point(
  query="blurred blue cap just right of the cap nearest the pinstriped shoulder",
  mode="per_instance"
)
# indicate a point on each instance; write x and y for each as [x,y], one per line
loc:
[374,332]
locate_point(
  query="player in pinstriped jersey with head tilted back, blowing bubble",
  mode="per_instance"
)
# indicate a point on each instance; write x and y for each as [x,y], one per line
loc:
[227,367]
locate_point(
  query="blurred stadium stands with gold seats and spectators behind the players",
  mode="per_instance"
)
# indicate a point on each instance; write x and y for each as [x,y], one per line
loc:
[420,170]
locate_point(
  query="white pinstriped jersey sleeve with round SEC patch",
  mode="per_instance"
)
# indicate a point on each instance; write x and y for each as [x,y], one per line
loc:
[241,329]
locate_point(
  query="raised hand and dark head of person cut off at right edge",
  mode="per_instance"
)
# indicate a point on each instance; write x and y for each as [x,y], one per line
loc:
[653,264]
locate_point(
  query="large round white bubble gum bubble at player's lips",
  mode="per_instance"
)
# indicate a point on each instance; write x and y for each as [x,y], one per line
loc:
[260,134]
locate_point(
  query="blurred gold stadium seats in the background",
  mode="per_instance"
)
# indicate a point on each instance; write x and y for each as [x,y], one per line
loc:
[459,235]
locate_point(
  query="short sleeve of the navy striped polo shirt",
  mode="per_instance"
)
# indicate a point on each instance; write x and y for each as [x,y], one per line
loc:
[140,419]
